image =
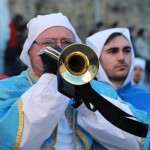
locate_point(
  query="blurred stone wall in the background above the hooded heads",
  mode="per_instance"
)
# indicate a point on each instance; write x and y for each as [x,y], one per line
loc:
[84,14]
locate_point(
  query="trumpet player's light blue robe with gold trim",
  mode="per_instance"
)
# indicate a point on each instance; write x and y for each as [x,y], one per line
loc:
[11,115]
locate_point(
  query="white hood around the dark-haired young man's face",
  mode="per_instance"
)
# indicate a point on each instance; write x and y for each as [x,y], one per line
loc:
[97,41]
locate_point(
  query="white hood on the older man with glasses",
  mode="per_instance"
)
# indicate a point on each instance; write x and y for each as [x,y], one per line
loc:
[37,25]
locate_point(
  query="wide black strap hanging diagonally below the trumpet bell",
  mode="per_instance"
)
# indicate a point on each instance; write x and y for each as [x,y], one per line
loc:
[112,113]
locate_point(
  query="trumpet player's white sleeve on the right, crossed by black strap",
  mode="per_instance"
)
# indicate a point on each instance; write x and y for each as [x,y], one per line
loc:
[104,132]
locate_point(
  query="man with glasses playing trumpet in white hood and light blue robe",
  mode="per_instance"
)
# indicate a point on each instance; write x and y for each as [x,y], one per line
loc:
[35,115]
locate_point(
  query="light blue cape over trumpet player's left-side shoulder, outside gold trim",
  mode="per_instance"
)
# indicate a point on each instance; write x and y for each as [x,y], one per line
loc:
[10,92]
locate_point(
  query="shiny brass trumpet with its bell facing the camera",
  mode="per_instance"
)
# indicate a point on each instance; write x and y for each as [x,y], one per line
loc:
[78,63]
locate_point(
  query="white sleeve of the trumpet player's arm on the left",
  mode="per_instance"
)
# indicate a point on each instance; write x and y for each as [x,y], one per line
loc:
[43,106]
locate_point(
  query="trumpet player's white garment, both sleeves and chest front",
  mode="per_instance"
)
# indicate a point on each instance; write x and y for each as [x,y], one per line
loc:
[44,107]
